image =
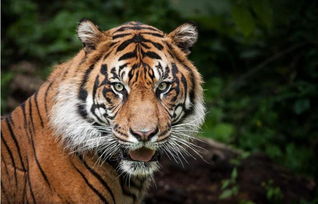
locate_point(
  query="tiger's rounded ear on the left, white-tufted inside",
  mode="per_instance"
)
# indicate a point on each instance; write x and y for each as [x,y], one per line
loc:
[89,34]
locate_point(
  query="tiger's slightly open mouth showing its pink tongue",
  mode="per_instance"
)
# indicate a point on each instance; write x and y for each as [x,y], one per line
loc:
[142,154]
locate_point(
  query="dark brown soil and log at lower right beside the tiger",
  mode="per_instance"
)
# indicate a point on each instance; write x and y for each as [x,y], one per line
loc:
[200,181]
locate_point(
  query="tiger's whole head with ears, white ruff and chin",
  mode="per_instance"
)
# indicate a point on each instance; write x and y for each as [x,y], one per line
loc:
[133,97]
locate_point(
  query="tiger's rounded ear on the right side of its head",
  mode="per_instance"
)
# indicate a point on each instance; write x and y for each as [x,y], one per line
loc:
[185,36]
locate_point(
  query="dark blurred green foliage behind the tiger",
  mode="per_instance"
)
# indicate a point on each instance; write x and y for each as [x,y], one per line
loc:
[259,60]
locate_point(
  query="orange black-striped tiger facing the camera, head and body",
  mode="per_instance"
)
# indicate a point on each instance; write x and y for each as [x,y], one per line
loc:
[96,129]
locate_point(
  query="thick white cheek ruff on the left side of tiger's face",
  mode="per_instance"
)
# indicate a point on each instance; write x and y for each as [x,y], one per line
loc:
[69,126]
